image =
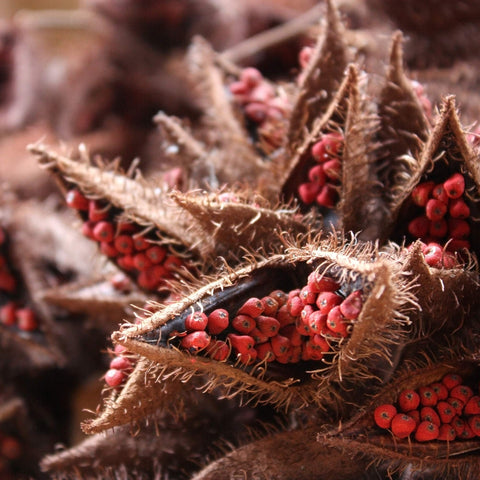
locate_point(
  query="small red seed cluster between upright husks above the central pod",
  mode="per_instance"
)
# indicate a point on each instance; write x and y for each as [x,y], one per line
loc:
[324,176]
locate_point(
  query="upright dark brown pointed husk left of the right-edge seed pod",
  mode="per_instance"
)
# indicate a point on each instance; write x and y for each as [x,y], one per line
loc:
[403,126]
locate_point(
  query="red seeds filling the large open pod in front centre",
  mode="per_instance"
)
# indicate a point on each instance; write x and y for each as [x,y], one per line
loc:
[301,325]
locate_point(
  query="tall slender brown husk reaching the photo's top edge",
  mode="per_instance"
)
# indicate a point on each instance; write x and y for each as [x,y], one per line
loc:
[320,81]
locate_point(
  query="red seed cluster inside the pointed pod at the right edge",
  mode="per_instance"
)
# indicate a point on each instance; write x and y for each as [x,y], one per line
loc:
[444,219]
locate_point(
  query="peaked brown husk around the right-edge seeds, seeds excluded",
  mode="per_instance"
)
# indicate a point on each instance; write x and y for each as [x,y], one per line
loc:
[445,152]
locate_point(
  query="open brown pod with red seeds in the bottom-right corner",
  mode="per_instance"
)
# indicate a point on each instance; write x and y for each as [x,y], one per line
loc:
[421,421]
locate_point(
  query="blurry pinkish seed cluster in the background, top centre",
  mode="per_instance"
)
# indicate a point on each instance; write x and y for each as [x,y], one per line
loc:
[257,97]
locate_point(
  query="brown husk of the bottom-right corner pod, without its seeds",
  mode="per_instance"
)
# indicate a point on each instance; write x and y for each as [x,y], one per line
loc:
[436,459]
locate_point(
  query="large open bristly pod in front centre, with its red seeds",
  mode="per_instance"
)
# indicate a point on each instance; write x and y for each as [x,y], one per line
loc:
[260,329]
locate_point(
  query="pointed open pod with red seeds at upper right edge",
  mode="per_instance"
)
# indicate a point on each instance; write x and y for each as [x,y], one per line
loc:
[437,202]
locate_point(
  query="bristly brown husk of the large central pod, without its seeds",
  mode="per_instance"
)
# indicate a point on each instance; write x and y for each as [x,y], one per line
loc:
[370,352]
